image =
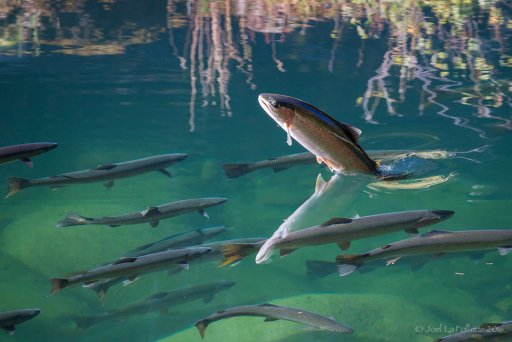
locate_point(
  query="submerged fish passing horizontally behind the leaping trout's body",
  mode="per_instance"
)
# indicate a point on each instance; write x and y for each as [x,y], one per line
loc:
[235,170]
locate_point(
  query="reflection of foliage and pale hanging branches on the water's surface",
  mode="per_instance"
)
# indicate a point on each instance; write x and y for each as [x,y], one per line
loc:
[435,45]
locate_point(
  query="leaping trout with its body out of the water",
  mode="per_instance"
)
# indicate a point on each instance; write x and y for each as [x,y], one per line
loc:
[333,143]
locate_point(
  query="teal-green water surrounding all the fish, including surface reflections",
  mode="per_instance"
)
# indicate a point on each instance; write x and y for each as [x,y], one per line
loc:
[122,80]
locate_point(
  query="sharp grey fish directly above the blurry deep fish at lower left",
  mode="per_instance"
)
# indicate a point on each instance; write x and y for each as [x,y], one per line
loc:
[131,267]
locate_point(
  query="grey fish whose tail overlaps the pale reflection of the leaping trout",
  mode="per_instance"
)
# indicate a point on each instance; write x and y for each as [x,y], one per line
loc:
[342,231]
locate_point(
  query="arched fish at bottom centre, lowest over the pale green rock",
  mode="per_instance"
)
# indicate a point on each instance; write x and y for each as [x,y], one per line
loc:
[273,312]
